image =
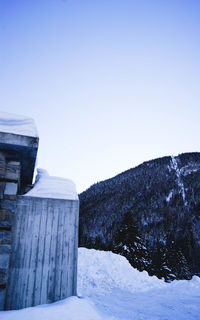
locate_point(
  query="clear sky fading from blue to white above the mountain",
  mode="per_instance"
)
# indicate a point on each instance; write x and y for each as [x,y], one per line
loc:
[110,83]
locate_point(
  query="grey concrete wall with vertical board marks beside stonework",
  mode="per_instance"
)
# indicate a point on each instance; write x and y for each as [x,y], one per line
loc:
[43,264]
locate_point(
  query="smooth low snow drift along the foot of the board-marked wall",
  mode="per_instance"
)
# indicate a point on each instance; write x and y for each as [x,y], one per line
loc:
[72,308]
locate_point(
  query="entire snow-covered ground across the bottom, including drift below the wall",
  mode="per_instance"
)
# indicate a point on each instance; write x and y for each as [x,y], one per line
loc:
[110,289]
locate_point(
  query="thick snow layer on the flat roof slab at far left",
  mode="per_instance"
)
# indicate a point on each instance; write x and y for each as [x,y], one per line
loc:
[17,124]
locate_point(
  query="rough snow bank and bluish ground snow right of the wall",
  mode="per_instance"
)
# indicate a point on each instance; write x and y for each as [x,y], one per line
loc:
[121,292]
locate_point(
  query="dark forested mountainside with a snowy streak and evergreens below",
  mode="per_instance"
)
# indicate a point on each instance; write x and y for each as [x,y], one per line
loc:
[150,214]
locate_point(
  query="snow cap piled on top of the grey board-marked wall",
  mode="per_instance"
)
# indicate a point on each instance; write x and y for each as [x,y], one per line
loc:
[52,187]
